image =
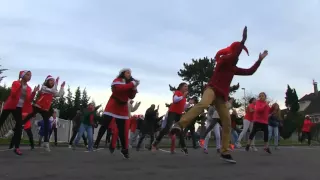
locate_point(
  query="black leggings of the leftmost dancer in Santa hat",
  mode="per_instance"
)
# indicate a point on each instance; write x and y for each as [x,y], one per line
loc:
[17,115]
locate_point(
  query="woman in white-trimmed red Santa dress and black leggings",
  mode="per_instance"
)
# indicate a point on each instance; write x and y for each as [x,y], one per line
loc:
[124,87]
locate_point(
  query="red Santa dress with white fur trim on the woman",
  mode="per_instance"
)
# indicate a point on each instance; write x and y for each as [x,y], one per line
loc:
[117,105]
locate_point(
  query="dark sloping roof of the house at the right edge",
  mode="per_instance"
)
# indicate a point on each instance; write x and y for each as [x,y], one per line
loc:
[314,106]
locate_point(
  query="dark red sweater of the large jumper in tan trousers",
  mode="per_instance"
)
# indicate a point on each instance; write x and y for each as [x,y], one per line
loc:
[225,70]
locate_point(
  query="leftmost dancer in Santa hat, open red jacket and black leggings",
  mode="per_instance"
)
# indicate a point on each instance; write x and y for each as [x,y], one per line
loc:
[19,101]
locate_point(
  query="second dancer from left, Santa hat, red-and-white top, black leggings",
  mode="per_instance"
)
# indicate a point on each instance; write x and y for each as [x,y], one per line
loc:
[48,91]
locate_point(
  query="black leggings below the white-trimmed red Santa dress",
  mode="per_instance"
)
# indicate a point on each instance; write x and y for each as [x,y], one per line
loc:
[121,128]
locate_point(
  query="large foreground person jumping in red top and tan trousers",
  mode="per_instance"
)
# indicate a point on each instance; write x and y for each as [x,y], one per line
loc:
[218,88]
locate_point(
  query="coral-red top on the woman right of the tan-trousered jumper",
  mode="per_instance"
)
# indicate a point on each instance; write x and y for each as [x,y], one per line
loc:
[261,113]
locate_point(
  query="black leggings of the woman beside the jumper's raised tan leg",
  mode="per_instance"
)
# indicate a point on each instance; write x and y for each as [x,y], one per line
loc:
[172,118]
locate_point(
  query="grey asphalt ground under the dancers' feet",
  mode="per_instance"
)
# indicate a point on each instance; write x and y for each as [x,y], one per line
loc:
[289,163]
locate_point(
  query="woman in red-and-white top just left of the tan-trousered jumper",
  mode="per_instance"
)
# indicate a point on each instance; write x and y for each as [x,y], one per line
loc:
[174,114]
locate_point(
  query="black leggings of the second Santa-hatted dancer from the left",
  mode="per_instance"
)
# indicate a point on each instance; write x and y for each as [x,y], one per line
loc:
[45,115]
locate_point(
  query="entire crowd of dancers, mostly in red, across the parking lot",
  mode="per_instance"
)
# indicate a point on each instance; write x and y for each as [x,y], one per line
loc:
[180,118]
